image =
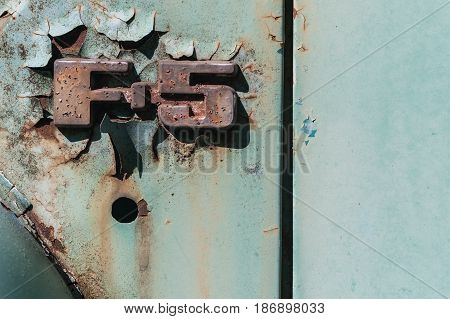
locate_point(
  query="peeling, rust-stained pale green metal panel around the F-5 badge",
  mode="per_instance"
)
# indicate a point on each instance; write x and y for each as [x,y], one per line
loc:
[208,218]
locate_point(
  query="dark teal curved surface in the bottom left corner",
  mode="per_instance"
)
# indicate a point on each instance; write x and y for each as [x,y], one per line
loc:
[25,272]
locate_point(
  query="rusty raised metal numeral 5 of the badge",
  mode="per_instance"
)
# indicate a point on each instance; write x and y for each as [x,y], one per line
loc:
[218,105]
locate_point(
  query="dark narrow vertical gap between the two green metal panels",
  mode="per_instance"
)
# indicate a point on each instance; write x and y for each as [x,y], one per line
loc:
[286,284]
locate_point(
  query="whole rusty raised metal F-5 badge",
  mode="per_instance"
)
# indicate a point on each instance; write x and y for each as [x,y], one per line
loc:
[216,109]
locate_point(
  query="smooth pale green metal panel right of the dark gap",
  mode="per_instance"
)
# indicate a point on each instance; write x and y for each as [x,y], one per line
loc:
[371,216]
